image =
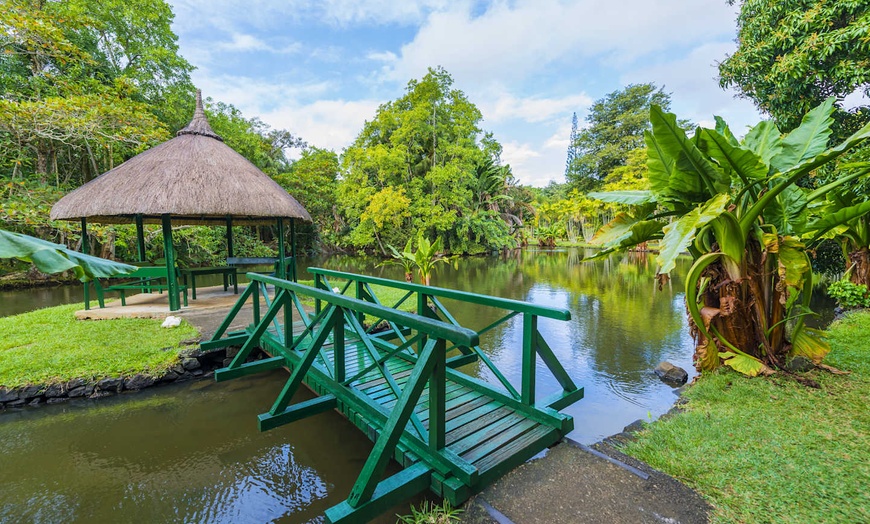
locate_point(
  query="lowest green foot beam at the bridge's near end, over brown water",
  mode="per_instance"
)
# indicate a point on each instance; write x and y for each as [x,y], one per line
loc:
[389,492]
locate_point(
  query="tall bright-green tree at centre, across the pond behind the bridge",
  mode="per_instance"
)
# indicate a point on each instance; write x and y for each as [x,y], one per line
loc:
[418,167]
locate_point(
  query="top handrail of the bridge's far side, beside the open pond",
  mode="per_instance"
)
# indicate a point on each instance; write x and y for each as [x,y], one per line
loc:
[465,296]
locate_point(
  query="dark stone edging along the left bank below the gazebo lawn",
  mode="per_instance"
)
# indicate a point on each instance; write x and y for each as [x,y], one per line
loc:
[193,364]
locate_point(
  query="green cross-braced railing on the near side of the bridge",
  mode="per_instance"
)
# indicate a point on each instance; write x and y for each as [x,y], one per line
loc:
[327,327]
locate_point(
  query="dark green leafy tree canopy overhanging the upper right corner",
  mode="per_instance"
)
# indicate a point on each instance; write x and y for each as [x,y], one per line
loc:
[793,55]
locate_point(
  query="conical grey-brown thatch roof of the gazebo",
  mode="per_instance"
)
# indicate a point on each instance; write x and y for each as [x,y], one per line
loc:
[194,177]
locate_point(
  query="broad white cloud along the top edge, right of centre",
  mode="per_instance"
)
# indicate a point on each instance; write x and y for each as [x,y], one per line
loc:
[509,41]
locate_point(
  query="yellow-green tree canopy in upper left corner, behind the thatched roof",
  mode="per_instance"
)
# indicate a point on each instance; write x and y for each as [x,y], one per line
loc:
[85,84]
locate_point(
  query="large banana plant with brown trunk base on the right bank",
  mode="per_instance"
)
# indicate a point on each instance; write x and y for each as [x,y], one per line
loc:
[734,205]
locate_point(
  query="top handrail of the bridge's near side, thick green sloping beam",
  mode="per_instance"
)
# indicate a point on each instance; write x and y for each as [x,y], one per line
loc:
[436,328]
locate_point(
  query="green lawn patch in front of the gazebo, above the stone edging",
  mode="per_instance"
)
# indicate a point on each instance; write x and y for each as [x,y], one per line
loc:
[50,345]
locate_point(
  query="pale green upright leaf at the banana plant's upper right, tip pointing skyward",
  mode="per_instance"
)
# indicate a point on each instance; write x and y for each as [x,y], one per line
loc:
[807,140]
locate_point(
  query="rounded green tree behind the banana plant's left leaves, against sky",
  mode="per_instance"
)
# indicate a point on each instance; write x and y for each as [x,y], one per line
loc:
[615,126]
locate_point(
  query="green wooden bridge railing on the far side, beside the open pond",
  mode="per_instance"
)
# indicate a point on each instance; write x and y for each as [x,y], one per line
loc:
[427,303]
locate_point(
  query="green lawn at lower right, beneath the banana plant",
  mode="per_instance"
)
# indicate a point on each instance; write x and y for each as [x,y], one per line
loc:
[772,450]
